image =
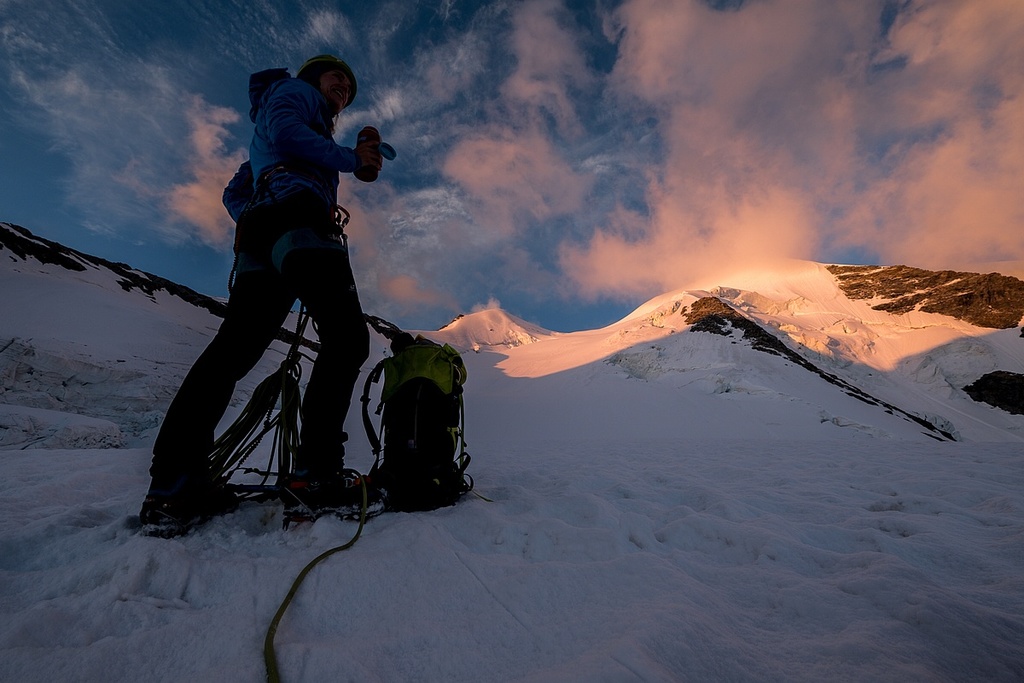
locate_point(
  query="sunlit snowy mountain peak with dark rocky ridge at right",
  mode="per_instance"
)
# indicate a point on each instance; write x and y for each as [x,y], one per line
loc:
[923,364]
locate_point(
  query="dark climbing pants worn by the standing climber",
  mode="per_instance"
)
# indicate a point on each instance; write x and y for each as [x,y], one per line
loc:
[260,304]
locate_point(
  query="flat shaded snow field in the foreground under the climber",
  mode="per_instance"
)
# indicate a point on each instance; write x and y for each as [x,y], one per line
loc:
[652,561]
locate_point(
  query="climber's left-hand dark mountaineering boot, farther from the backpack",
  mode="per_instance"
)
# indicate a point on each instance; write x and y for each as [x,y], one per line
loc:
[192,501]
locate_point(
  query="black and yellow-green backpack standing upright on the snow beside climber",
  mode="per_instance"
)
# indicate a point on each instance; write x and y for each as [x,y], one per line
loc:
[424,459]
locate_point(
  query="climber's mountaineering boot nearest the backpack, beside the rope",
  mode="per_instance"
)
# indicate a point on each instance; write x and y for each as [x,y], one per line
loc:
[308,498]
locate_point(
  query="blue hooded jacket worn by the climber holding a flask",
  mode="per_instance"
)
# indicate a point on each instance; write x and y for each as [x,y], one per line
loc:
[293,124]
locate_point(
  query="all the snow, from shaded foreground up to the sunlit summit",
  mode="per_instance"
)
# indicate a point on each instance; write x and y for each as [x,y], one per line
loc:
[664,505]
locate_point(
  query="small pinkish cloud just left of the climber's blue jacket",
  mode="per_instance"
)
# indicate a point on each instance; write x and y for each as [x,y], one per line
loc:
[199,202]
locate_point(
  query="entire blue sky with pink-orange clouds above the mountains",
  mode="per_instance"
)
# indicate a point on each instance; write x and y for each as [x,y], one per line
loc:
[566,161]
